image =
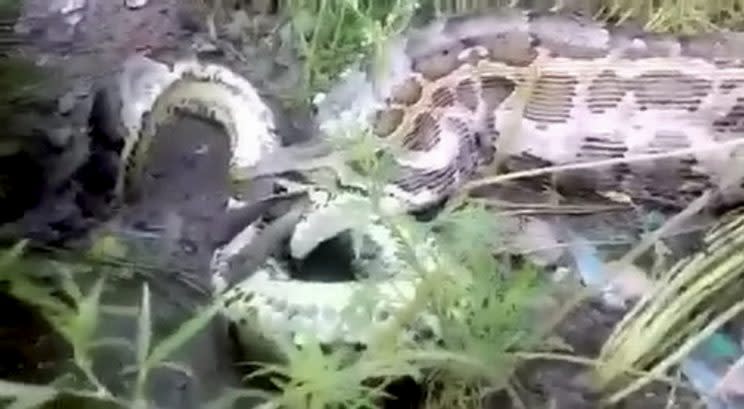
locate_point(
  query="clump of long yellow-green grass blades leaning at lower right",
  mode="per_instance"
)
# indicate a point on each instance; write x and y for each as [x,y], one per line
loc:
[692,300]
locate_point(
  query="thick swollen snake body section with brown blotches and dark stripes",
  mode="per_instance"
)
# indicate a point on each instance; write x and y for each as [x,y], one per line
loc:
[547,90]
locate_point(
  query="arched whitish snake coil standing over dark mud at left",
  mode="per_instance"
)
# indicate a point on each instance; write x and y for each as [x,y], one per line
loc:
[156,94]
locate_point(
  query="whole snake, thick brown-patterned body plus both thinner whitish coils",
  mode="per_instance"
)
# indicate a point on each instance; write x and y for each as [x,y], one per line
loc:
[507,90]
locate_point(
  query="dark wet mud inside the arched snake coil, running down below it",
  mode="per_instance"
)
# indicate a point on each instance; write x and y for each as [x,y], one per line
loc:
[184,194]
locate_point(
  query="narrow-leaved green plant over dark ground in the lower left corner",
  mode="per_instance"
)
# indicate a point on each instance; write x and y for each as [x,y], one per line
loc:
[76,316]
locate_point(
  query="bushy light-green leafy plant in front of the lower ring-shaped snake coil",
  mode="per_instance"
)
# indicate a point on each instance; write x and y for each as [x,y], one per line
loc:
[481,305]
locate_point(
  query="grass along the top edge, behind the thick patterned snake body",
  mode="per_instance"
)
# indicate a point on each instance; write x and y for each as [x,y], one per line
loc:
[333,34]
